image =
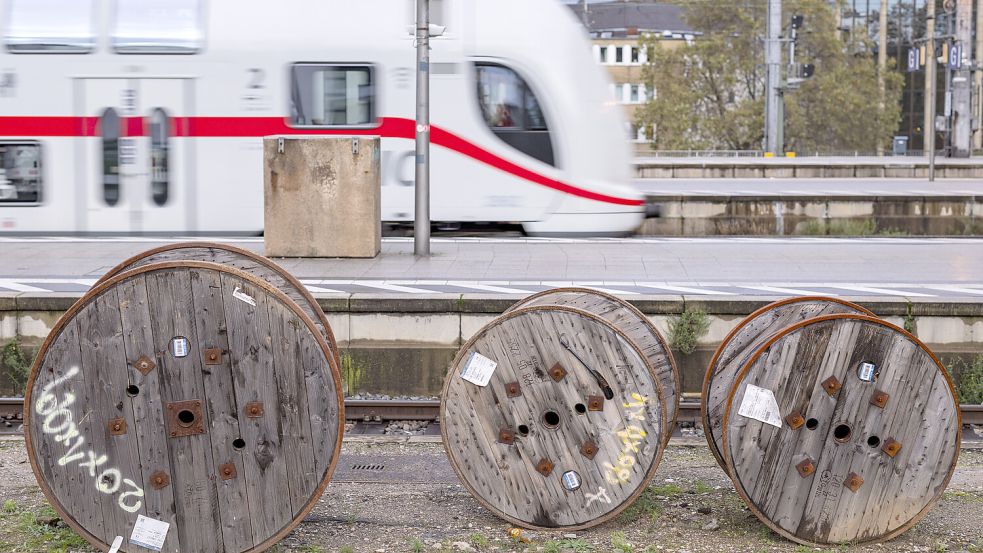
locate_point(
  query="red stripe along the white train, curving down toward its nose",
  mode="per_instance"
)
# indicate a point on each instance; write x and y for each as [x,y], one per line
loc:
[389,127]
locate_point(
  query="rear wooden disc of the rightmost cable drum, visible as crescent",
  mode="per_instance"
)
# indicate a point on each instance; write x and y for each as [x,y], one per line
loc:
[743,340]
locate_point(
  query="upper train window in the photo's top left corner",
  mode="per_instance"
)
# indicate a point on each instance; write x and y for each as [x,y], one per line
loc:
[50,26]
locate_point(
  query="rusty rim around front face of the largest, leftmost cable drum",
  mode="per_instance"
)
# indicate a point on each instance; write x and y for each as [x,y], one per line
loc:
[101,287]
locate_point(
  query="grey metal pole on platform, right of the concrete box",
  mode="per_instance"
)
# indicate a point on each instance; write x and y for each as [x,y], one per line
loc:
[421,221]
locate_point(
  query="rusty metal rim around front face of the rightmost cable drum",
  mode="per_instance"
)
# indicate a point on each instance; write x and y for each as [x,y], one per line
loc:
[738,486]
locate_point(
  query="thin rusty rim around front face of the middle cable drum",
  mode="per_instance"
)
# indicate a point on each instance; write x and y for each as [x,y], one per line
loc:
[643,485]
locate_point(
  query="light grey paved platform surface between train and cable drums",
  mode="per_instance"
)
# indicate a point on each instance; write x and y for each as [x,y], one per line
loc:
[719,267]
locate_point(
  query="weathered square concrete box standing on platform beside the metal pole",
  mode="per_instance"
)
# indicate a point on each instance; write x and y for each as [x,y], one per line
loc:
[322,196]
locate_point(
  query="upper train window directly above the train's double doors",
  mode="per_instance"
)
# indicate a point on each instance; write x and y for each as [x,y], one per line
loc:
[158,26]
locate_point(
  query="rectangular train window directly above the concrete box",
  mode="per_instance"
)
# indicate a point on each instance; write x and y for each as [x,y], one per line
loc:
[331,95]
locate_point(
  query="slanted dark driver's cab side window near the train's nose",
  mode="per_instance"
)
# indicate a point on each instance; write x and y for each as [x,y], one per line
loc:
[512,111]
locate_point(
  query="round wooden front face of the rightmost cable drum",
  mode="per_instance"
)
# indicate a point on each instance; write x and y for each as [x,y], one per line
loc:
[841,429]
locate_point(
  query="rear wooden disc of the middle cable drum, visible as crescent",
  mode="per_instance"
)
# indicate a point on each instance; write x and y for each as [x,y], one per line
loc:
[634,323]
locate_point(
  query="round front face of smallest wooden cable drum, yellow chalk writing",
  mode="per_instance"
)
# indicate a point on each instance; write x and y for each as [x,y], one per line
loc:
[552,417]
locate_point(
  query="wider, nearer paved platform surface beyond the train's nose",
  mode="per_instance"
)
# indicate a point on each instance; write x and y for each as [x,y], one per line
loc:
[893,187]
